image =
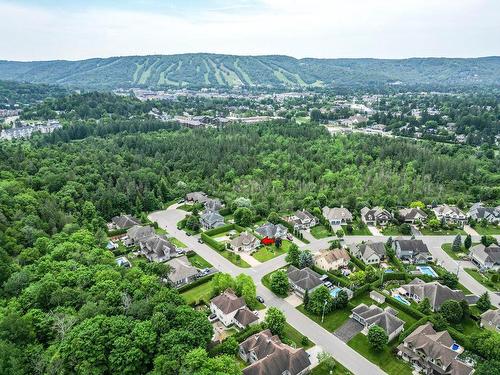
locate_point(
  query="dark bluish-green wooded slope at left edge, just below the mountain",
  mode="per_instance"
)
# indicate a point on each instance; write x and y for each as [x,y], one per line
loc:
[14,94]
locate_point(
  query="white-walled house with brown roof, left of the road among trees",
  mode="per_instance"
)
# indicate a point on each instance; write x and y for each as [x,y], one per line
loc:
[231,309]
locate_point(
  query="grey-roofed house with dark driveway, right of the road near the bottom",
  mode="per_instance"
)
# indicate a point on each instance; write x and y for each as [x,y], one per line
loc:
[374,315]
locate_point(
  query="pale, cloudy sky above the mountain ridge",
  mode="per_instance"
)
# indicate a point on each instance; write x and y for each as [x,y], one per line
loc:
[80,29]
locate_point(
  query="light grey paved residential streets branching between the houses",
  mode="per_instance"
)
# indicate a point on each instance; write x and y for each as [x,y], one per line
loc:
[356,363]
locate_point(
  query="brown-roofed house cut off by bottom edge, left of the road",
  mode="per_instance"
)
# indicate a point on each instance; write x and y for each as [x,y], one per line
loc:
[266,354]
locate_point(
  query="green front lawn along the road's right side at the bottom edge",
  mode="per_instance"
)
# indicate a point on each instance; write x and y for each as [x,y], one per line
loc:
[385,359]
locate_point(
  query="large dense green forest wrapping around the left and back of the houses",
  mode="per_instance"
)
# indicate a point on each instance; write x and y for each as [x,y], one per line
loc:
[65,307]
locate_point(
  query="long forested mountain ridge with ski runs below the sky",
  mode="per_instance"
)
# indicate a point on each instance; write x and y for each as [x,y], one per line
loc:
[213,70]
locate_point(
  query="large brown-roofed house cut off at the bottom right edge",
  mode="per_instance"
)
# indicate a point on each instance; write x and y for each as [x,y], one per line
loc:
[431,352]
